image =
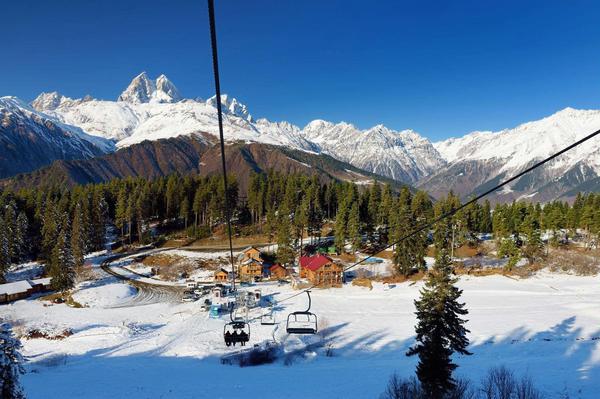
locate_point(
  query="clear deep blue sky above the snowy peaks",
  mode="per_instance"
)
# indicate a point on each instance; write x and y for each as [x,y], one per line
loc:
[442,68]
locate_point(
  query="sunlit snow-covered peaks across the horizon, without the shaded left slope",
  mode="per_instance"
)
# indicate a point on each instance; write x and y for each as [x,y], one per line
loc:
[153,109]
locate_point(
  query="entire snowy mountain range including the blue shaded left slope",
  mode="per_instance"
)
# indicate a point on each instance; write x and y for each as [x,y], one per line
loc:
[154,111]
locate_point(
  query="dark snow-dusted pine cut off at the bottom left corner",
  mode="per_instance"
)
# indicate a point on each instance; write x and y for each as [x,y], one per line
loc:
[10,364]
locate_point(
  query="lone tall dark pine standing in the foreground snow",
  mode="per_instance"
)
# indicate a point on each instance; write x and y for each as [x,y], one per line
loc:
[440,329]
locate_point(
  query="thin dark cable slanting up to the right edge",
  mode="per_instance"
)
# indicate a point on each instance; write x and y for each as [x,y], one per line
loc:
[466,204]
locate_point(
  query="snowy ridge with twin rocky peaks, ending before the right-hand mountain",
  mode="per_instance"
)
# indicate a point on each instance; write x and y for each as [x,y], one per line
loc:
[152,110]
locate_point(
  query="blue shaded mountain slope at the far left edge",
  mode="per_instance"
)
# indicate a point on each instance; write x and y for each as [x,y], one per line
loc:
[30,139]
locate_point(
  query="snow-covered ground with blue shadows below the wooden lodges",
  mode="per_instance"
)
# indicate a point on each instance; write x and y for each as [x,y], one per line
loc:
[547,327]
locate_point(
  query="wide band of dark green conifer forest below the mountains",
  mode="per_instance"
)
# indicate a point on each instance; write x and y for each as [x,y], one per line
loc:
[59,225]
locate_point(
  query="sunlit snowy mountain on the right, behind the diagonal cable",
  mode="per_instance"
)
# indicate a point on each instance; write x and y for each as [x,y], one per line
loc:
[480,158]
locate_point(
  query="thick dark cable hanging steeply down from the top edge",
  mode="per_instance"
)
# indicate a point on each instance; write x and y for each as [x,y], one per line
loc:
[213,42]
